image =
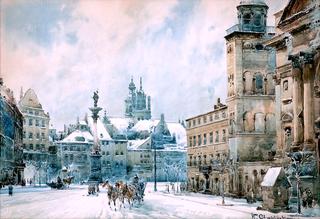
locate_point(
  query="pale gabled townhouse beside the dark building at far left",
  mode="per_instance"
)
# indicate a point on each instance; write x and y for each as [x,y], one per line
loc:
[35,137]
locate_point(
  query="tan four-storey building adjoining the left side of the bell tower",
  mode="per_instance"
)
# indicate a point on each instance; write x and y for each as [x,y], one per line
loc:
[207,136]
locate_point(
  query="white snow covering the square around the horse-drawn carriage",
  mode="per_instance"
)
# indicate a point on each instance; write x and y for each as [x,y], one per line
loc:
[74,203]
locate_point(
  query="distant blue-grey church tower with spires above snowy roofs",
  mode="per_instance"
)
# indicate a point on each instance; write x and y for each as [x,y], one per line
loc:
[137,104]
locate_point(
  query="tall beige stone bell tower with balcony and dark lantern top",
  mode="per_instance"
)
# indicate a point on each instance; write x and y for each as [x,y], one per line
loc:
[250,97]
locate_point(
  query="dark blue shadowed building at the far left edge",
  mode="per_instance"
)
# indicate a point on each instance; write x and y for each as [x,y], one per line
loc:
[11,148]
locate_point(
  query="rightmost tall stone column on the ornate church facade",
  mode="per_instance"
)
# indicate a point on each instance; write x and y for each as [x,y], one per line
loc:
[308,88]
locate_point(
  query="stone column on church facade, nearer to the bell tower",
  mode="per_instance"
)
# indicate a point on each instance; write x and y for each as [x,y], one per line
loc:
[297,102]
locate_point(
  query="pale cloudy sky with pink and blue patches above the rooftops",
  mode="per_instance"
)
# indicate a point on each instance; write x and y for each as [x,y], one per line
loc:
[66,49]
